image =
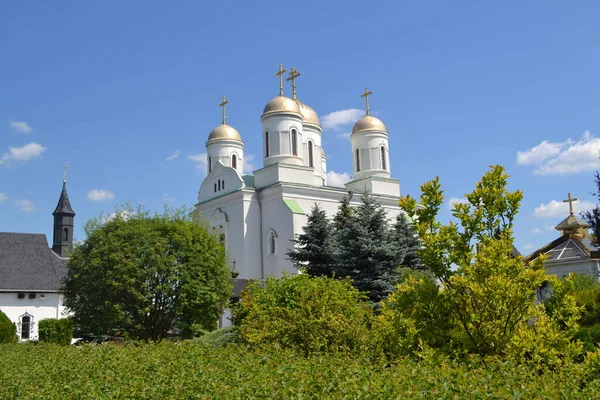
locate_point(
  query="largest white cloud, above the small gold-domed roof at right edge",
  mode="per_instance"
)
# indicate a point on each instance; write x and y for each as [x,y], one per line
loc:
[563,158]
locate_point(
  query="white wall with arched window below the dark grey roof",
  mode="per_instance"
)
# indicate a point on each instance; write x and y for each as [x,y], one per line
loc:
[50,306]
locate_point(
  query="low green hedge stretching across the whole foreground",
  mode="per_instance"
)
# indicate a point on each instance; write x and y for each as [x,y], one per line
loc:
[187,370]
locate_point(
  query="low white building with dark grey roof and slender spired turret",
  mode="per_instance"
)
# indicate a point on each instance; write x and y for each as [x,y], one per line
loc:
[31,272]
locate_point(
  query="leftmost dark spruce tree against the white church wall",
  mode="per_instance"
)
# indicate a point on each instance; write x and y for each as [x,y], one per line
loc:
[313,251]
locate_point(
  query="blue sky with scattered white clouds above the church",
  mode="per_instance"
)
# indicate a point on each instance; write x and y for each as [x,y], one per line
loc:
[127,93]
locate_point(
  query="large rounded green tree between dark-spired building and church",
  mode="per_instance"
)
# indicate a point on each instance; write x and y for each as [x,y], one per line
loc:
[147,275]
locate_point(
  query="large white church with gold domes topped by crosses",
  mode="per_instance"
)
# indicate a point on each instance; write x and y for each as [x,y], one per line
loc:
[259,213]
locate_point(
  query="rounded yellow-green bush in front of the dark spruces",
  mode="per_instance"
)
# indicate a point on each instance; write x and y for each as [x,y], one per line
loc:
[309,314]
